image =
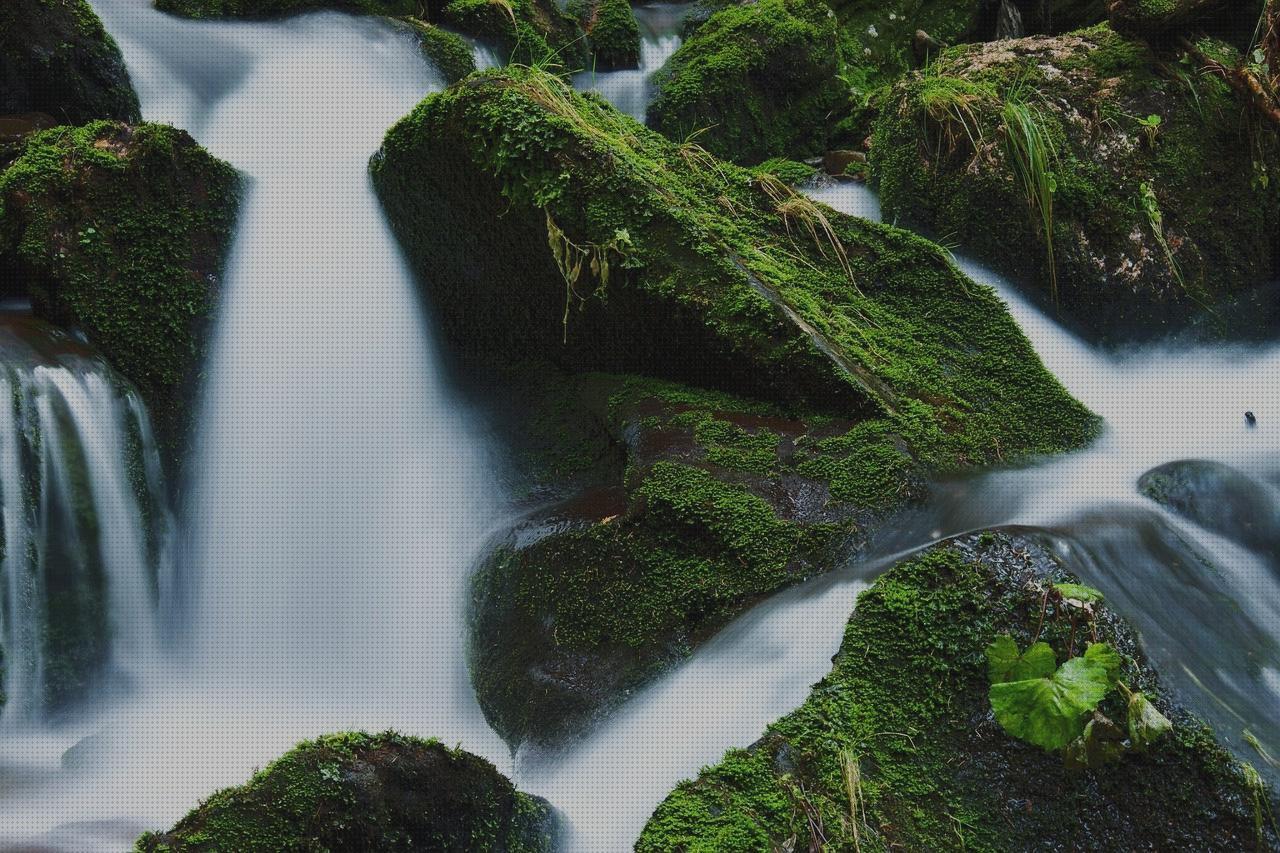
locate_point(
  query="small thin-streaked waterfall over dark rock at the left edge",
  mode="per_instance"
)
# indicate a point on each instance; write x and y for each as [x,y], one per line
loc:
[86,532]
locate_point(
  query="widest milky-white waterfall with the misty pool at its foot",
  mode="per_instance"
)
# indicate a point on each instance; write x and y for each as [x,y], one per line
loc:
[340,492]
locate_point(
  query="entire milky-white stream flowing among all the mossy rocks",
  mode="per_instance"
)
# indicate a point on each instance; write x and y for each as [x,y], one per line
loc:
[341,492]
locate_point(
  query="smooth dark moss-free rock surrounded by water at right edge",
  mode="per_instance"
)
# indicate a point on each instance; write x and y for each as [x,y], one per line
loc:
[1219,499]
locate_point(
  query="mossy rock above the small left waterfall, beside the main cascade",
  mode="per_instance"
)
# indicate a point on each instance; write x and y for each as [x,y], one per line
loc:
[122,232]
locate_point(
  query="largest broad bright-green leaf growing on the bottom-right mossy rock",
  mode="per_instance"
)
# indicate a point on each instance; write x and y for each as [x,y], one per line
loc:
[1050,713]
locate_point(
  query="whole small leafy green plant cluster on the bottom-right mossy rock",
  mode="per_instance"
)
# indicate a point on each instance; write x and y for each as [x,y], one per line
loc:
[1057,708]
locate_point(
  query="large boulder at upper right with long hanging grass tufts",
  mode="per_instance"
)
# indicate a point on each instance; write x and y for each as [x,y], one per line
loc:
[1167,199]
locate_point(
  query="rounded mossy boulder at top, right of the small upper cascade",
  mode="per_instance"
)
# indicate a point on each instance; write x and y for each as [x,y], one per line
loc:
[756,81]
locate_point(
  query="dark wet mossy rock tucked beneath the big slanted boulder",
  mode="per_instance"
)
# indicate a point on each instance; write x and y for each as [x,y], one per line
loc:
[712,503]
